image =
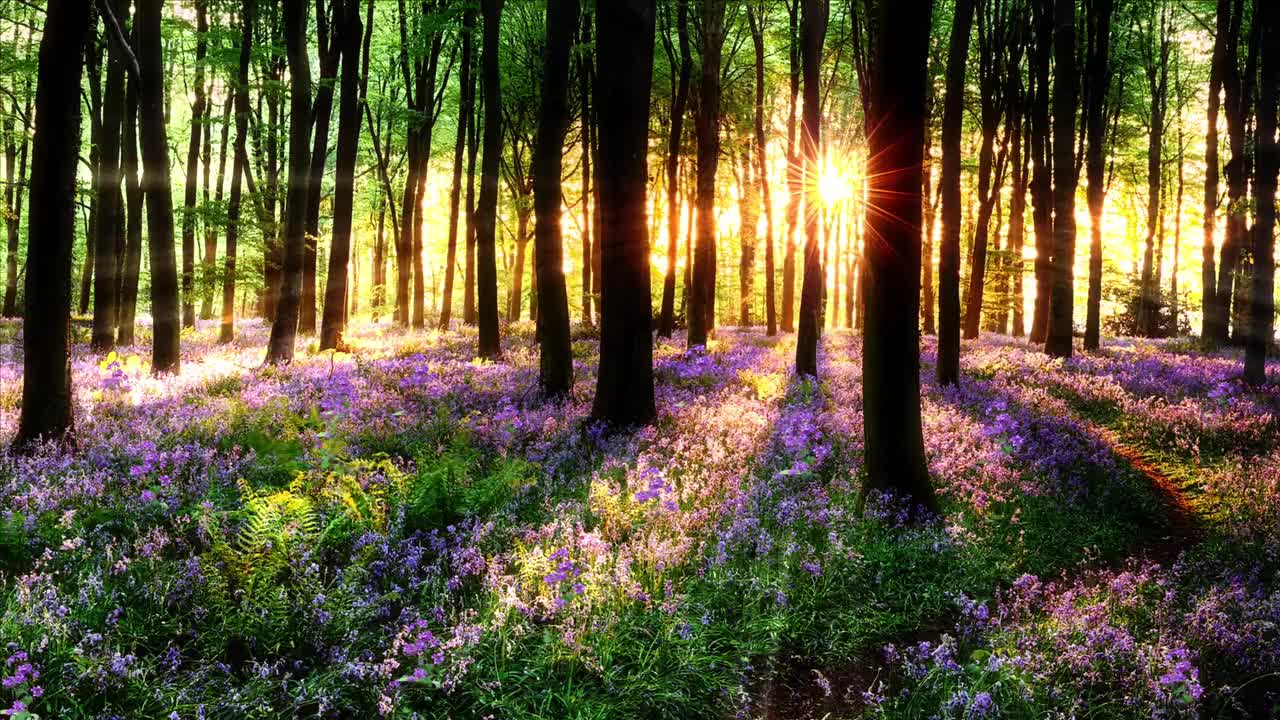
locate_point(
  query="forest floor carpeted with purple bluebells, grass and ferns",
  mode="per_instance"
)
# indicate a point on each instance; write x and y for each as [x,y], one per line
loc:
[405,532]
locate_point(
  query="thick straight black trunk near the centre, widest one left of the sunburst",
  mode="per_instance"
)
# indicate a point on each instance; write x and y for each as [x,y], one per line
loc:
[625,42]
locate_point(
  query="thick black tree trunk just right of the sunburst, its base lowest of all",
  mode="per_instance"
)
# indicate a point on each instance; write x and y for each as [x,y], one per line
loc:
[892,340]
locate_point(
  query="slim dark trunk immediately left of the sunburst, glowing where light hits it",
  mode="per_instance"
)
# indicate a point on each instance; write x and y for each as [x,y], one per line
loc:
[813,29]
